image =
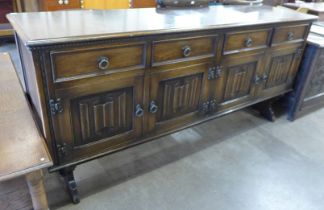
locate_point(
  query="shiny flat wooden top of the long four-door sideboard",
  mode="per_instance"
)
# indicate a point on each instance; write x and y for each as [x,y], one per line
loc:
[83,25]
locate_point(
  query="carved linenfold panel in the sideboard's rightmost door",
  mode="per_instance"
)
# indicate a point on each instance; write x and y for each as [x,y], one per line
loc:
[279,70]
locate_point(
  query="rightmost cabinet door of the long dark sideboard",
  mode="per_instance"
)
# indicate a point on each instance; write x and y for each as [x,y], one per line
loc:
[281,69]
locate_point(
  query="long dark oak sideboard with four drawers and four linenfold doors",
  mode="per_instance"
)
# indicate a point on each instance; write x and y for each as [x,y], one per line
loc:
[103,81]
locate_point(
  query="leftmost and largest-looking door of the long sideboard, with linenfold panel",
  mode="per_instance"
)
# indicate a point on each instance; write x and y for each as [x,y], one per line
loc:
[97,117]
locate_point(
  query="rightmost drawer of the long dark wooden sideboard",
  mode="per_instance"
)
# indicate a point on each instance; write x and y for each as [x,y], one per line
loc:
[289,34]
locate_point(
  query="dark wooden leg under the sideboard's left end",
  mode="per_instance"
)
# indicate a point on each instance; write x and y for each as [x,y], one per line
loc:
[70,182]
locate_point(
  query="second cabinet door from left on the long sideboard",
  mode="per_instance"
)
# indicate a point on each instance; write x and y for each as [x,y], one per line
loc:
[176,97]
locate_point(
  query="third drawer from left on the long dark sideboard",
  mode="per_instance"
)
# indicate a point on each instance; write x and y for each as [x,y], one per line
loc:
[246,40]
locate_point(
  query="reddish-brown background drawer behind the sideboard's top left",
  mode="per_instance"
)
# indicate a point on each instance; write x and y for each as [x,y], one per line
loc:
[52,5]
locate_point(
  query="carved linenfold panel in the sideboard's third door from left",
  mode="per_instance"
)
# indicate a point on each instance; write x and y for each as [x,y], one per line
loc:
[239,81]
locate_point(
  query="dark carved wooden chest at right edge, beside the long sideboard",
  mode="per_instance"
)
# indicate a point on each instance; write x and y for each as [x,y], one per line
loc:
[308,94]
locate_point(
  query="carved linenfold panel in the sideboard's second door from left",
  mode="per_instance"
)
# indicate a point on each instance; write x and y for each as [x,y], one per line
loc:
[179,96]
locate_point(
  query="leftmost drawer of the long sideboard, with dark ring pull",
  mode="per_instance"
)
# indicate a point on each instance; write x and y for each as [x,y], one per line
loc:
[81,63]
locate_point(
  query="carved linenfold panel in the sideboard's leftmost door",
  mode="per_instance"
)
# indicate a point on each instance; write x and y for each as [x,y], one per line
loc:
[100,116]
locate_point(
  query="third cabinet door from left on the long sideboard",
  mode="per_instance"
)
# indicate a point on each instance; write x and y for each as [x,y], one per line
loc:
[239,78]
